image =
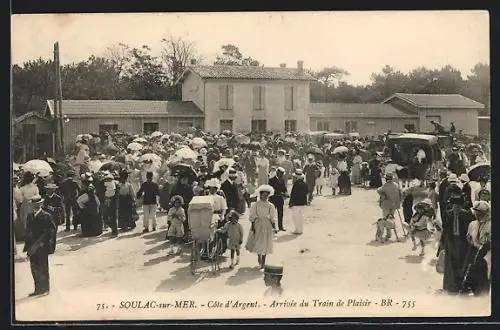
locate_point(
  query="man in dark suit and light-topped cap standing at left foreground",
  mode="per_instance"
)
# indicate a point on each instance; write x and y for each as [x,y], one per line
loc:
[40,242]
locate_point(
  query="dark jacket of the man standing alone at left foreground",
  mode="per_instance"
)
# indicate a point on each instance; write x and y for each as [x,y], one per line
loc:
[40,229]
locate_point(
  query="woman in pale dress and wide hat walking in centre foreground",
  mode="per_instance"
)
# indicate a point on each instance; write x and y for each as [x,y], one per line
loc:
[263,216]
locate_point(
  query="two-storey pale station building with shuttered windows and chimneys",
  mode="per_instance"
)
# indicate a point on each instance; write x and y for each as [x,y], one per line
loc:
[249,98]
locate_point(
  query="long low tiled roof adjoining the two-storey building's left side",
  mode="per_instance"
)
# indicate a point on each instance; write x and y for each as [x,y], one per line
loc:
[127,108]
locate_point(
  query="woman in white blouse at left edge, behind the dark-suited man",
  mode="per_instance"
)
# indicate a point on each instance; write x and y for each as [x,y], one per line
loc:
[26,192]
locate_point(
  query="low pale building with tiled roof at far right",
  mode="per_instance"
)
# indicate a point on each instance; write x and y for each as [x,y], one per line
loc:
[441,108]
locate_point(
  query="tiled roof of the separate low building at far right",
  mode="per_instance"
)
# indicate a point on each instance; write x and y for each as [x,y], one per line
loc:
[438,101]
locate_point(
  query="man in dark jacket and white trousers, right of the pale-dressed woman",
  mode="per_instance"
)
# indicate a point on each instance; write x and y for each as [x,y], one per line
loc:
[298,200]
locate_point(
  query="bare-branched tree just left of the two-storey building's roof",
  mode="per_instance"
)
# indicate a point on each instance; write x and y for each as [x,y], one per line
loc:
[176,56]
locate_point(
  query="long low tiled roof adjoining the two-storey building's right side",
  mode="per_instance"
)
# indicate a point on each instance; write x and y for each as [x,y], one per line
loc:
[368,110]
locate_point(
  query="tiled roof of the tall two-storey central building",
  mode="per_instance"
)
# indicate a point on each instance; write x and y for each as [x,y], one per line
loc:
[247,72]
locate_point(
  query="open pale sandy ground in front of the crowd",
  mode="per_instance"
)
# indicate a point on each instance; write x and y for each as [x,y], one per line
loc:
[335,258]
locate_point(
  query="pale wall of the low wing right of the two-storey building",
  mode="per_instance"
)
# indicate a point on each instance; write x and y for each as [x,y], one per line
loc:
[365,126]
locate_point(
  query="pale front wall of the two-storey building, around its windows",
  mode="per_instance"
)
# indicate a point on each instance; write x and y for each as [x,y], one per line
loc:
[243,112]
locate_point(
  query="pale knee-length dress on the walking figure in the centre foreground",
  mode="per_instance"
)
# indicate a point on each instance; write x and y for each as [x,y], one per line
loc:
[263,214]
